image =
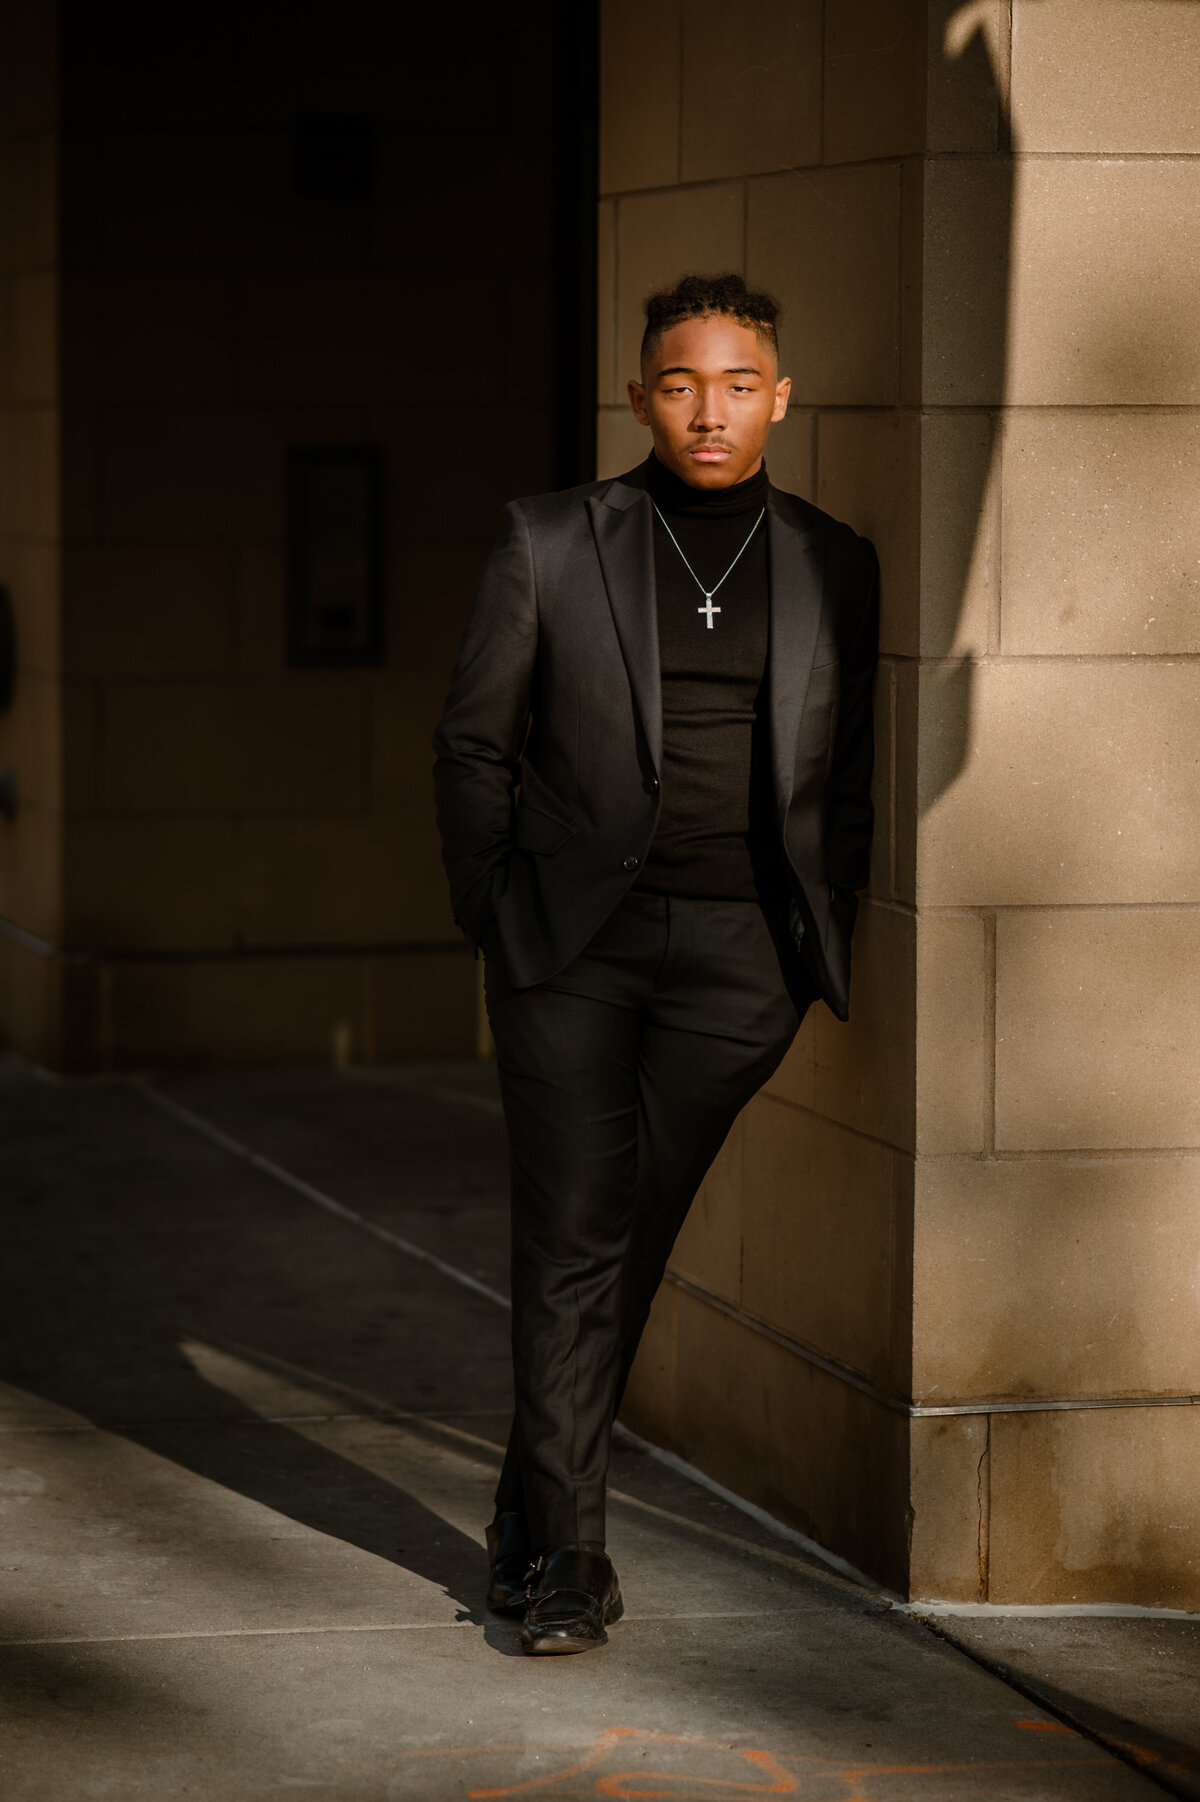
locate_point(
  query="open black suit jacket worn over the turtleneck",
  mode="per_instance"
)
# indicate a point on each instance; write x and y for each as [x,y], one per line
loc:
[550,743]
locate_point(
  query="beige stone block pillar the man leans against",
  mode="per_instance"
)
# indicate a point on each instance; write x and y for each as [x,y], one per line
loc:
[981,1196]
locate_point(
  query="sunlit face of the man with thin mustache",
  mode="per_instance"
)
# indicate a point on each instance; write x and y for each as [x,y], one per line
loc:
[711,392]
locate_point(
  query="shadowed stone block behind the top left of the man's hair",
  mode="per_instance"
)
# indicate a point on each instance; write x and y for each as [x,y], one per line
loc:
[664,237]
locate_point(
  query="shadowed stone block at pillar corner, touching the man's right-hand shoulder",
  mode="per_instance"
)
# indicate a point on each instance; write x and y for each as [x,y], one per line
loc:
[869,475]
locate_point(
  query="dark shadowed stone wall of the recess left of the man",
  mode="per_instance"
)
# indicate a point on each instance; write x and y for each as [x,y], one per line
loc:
[250,857]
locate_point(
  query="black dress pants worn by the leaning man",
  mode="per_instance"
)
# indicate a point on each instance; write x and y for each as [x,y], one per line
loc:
[621,1080]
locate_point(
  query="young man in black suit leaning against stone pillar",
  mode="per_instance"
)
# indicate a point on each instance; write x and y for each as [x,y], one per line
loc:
[653,792]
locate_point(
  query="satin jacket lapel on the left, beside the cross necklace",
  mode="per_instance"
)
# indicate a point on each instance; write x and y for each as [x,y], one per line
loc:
[621,522]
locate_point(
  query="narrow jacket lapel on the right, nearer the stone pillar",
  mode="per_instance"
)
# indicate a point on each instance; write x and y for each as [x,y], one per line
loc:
[795,612]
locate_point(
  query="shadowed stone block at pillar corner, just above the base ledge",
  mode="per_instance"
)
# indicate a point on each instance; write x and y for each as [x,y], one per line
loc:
[817,1235]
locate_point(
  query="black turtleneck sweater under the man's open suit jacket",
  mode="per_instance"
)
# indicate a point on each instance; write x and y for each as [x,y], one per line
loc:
[716,835]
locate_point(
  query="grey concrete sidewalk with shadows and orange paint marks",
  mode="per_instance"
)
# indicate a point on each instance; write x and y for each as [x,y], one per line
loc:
[246,1457]
